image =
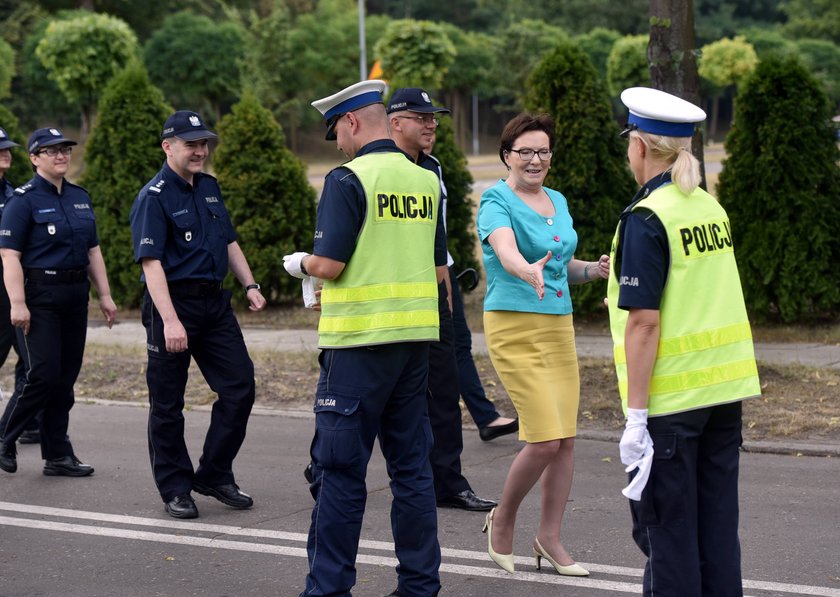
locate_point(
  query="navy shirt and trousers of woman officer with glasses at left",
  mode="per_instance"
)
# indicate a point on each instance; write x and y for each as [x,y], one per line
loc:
[53,232]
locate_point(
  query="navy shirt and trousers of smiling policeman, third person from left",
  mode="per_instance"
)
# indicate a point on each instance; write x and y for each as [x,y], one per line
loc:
[187,228]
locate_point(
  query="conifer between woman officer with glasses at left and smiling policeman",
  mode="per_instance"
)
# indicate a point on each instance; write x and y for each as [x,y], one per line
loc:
[122,153]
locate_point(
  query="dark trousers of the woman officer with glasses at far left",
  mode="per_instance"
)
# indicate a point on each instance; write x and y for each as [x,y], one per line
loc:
[52,354]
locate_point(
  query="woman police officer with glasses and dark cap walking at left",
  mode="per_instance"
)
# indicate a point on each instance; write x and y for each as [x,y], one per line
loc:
[50,250]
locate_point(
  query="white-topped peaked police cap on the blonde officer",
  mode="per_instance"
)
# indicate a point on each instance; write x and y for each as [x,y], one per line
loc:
[660,113]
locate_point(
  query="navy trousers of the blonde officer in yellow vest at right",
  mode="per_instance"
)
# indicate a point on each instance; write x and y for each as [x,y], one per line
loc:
[687,520]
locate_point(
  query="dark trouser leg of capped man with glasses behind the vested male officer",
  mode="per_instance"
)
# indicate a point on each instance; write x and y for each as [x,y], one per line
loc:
[444,410]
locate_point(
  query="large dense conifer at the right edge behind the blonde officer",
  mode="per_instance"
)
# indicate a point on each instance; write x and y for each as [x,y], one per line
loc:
[781,188]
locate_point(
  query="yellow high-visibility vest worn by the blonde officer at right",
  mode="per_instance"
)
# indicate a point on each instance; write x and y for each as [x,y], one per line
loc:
[705,354]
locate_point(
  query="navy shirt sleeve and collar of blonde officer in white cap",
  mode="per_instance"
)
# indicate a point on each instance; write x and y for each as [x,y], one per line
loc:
[643,252]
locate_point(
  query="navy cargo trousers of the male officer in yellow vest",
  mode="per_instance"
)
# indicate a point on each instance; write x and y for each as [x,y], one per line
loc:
[364,393]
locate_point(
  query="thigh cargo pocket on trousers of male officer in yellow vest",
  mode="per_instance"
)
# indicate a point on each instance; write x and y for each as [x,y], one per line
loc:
[337,442]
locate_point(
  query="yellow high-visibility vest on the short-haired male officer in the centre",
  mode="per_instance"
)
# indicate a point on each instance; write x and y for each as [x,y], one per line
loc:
[388,289]
